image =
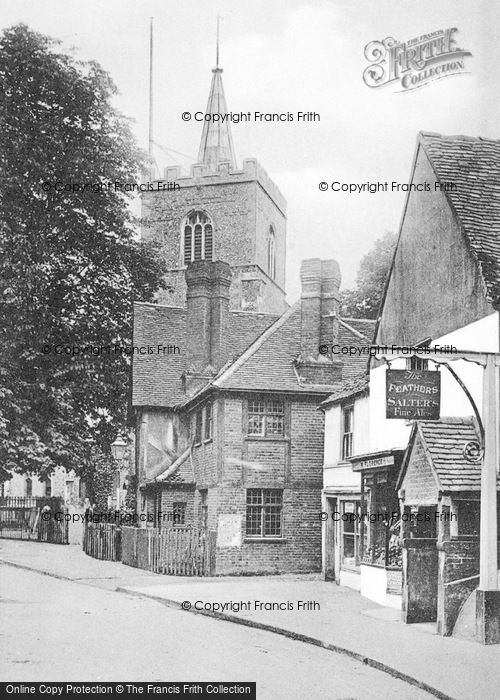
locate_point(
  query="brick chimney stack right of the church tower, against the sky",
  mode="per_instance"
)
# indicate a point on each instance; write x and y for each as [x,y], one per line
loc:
[320,302]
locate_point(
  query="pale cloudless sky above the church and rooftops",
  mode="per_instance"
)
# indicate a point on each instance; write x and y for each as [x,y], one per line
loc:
[286,56]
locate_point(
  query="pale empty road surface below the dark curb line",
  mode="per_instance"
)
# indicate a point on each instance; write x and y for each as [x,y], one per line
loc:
[52,630]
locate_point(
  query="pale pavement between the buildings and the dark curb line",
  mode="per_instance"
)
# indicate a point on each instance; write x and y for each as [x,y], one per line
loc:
[329,616]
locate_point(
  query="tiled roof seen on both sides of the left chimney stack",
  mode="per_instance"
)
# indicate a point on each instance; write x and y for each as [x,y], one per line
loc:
[157,377]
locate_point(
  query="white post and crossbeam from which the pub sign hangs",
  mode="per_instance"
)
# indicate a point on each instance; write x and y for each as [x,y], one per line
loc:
[488,593]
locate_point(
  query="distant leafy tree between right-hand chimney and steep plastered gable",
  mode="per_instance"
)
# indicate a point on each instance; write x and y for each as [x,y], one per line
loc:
[363,301]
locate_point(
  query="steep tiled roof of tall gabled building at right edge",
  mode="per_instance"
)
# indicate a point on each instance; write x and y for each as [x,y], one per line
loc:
[473,164]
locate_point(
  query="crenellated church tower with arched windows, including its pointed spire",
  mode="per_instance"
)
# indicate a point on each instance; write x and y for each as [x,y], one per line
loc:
[221,212]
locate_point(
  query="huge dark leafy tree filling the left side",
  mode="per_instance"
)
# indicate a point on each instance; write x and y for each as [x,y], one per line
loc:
[70,264]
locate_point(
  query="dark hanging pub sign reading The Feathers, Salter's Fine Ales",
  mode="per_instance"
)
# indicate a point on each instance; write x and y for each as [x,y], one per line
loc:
[413,394]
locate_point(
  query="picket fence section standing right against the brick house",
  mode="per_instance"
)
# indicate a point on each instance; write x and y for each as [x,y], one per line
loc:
[177,551]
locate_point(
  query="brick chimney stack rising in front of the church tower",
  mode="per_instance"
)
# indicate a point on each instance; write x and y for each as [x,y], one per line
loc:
[207,314]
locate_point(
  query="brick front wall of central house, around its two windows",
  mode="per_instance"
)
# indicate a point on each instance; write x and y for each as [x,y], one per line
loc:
[294,464]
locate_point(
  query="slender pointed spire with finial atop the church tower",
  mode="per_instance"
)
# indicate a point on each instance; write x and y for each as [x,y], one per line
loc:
[216,141]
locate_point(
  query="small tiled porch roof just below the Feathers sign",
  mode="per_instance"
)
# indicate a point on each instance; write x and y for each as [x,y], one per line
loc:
[445,441]
